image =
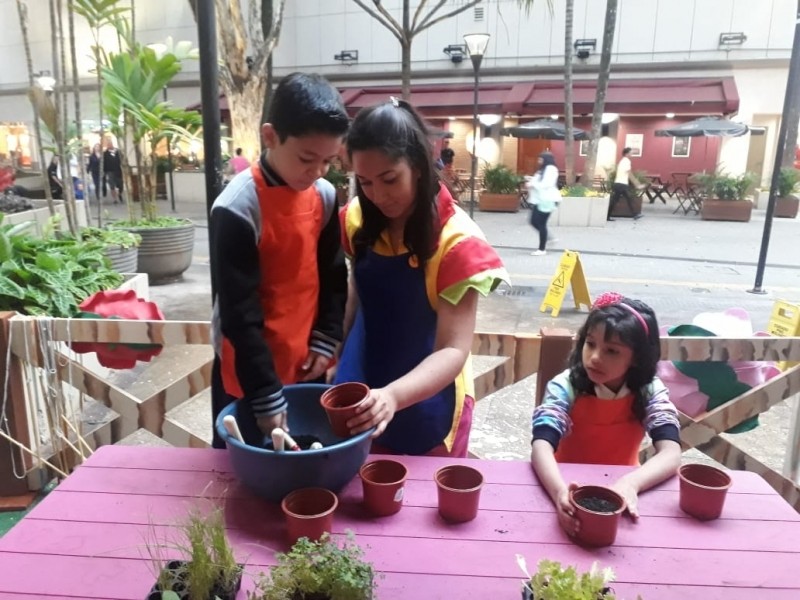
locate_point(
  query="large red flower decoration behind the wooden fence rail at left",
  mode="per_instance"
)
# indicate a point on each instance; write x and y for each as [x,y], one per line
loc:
[119,304]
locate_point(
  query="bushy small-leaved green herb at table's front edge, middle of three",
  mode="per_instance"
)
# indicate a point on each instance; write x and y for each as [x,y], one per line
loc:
[322,570]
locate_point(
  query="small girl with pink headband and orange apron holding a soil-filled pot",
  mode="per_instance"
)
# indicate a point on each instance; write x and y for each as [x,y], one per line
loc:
[598,410]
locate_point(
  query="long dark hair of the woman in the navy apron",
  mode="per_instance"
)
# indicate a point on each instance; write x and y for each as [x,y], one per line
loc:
[396,129]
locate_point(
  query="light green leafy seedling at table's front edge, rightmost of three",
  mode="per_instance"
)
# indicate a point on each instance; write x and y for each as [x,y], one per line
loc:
[552,581]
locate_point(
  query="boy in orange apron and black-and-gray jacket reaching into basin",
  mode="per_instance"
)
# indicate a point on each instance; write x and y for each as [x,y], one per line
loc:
[276,261]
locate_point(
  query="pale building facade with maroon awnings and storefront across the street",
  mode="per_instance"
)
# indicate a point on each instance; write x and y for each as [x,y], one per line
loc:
[672,60]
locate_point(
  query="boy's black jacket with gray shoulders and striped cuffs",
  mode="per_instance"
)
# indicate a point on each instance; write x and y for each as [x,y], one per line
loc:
[238,316]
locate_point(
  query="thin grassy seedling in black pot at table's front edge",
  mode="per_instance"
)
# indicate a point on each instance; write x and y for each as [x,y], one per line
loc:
[210,569]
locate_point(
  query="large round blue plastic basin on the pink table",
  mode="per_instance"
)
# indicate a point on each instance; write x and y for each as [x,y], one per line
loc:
[271,474]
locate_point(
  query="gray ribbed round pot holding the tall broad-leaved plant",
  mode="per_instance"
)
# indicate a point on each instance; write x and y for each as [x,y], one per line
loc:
[165,252]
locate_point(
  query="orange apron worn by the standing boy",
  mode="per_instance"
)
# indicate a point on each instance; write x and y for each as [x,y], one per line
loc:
[291,223]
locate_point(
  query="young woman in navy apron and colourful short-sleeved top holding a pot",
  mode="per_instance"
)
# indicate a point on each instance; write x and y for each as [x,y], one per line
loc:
[418,265]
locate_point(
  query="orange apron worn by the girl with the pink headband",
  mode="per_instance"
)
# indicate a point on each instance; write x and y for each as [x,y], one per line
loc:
[604,432]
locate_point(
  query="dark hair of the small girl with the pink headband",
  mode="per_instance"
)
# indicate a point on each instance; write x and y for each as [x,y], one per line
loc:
[646,346]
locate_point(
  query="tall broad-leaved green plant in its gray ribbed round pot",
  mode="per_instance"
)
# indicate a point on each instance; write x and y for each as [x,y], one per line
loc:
[133,83]
